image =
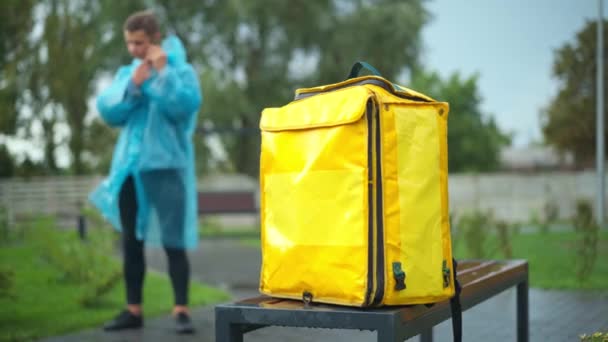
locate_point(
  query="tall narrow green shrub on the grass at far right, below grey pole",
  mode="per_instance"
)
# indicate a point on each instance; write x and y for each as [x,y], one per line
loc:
[587,230]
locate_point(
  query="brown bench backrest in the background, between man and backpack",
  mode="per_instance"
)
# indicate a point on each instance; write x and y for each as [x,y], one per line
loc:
[227,202]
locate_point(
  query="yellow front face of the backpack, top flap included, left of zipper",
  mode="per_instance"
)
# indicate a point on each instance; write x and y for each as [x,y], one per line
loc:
[314,199]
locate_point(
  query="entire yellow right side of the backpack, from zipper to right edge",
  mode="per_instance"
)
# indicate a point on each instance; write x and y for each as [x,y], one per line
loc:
[417,236]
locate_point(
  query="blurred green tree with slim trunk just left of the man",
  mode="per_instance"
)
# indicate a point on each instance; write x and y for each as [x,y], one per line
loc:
[74,37]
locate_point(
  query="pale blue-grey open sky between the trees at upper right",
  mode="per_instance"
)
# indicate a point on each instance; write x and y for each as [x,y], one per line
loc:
[511,44]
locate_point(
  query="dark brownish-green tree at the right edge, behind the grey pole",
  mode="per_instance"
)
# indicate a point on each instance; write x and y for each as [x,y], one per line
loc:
[568,122]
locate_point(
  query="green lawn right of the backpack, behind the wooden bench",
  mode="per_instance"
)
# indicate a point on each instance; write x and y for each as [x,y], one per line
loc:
[552,259]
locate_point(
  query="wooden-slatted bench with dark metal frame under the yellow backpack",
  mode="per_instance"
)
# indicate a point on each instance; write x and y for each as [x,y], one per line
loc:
[480,280]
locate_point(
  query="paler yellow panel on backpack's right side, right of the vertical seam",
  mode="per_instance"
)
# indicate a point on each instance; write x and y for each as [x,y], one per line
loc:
[420,198]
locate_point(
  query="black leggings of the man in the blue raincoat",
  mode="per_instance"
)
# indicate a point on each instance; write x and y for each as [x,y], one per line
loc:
[134,267]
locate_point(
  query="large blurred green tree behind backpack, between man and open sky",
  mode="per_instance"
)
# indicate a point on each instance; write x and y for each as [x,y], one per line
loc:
[253,53]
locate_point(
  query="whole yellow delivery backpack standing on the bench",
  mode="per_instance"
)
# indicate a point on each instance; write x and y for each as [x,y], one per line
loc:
[354,196]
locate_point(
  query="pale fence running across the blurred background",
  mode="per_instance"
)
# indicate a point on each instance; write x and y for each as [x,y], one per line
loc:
[512,197]
